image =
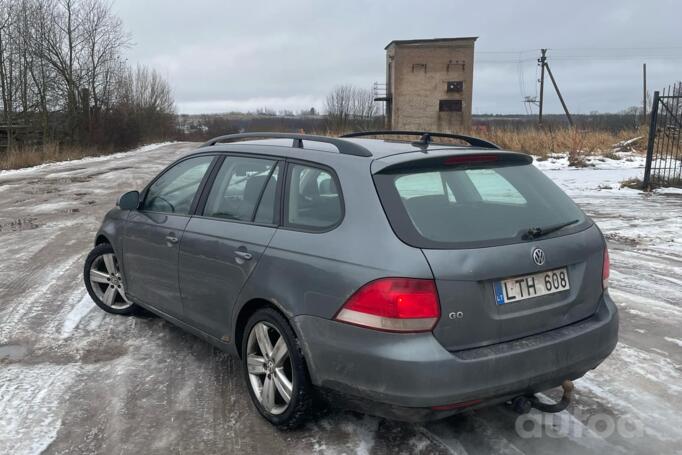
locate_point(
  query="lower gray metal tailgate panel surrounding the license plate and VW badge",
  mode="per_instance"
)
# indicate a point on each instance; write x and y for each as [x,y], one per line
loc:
[472,316]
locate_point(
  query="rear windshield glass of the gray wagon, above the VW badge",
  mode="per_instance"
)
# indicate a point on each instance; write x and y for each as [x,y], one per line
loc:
[475,206]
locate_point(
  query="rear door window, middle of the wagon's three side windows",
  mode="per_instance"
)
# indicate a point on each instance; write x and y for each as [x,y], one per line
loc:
[239,187]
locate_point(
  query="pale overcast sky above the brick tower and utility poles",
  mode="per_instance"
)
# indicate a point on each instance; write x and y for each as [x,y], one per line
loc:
[222,55]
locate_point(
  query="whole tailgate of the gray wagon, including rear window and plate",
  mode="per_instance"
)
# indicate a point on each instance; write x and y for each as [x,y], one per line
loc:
[478,216]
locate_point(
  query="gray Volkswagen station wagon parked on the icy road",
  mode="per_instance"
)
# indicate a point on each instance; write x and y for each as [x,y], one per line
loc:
[411,280]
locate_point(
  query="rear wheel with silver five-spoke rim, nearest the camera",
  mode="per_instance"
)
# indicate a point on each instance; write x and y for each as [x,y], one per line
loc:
[283,415]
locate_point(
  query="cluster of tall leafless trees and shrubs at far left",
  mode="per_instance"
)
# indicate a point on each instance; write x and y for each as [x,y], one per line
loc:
[62,70]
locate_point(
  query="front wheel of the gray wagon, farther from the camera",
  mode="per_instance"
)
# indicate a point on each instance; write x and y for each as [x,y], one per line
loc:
[103,280]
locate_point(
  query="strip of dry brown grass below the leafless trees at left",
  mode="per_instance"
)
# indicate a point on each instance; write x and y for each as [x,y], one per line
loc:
[32,156]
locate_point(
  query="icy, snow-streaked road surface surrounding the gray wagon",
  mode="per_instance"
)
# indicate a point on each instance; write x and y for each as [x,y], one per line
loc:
[75,380]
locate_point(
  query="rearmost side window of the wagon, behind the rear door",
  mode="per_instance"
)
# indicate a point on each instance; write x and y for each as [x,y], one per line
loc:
[313,200]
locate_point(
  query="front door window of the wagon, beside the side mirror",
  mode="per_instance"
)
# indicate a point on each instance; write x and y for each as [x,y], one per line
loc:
[174,191]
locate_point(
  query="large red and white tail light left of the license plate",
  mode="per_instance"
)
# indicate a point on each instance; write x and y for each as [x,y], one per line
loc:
[393,304]
